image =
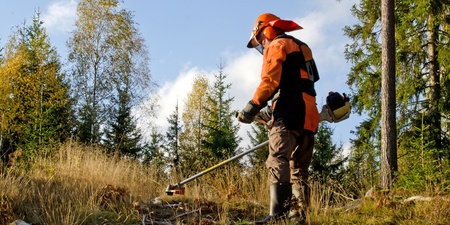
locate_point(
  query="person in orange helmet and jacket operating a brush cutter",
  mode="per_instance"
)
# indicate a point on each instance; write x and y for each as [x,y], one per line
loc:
[287,79]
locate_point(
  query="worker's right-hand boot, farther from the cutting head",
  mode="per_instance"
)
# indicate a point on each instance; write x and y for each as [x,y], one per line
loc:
[300,203]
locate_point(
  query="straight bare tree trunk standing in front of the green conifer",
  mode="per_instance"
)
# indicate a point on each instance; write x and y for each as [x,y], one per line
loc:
[388,123]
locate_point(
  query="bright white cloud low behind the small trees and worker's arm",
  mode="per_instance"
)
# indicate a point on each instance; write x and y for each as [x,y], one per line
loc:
[242,72]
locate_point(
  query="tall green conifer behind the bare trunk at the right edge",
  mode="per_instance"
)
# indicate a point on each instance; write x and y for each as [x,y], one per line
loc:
[421,48]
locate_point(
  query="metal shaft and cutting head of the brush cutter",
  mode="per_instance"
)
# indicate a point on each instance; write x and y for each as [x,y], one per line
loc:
[179,188]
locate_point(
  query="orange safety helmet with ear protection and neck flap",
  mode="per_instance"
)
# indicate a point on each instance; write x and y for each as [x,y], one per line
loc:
[269,21]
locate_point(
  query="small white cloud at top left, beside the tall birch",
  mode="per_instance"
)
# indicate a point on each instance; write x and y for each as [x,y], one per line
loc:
[60,16]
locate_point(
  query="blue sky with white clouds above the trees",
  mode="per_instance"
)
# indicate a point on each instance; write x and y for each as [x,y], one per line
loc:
[188,38]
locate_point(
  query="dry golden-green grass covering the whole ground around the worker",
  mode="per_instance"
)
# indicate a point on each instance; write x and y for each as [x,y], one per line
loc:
[81,185]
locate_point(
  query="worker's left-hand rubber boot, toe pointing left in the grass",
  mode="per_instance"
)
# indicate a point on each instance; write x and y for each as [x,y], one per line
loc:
[280,198]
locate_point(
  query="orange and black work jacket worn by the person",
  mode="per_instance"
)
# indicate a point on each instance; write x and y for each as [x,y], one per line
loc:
[289,72]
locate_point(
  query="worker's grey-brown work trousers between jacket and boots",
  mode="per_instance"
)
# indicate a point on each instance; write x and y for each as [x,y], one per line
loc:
[290,154]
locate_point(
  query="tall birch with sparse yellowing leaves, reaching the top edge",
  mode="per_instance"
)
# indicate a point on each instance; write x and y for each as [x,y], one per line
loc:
[109,59]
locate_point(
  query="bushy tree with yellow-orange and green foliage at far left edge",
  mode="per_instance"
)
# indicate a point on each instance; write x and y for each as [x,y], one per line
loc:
[35,104]
